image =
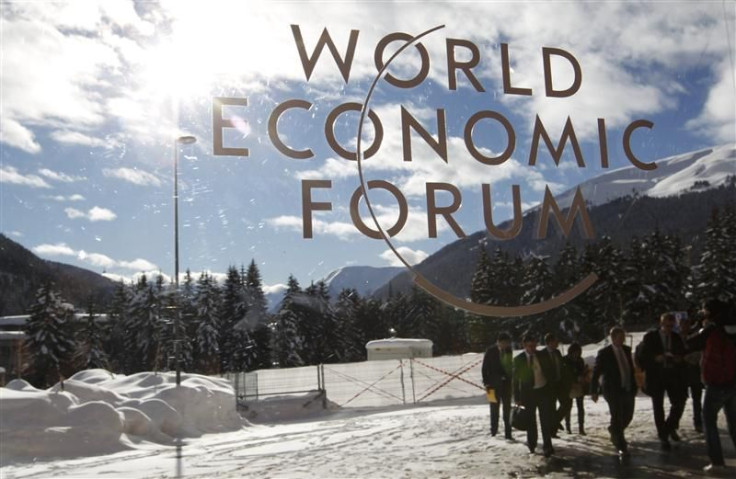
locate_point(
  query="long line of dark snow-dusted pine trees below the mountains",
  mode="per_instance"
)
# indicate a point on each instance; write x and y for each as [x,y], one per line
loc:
[227,327]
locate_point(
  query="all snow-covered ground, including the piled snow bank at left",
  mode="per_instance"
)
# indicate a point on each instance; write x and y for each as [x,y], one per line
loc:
[125,427]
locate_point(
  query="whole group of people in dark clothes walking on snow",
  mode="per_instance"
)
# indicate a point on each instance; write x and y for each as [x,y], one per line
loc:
[545,383]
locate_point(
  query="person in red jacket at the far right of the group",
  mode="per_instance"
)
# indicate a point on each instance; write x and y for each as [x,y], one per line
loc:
[717,340]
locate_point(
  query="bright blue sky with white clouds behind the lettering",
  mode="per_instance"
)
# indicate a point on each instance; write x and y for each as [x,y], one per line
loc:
[94,94]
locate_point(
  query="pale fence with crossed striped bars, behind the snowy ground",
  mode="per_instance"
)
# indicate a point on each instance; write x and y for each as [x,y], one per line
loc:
[369,383]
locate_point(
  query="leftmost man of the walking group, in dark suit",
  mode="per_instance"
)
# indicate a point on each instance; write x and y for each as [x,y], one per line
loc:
[497,370]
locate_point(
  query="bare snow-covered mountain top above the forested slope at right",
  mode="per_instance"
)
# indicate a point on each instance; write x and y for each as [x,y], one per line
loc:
[702,169]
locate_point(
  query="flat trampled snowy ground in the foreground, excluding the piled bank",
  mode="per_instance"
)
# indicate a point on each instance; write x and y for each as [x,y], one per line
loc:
[442,440]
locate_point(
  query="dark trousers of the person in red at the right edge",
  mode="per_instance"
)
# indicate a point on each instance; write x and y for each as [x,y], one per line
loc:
[715,399]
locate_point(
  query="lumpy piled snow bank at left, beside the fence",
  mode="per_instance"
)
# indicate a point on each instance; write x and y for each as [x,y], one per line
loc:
[97,412]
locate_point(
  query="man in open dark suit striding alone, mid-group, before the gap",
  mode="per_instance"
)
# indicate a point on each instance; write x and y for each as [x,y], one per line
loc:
[615,369]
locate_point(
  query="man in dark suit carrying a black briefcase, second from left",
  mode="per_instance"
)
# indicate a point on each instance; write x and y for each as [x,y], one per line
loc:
[531,392]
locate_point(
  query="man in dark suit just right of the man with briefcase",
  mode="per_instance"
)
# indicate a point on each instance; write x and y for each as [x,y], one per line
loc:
[554,370]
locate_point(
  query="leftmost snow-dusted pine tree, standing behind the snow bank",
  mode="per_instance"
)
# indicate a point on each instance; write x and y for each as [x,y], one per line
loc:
[49,338]
